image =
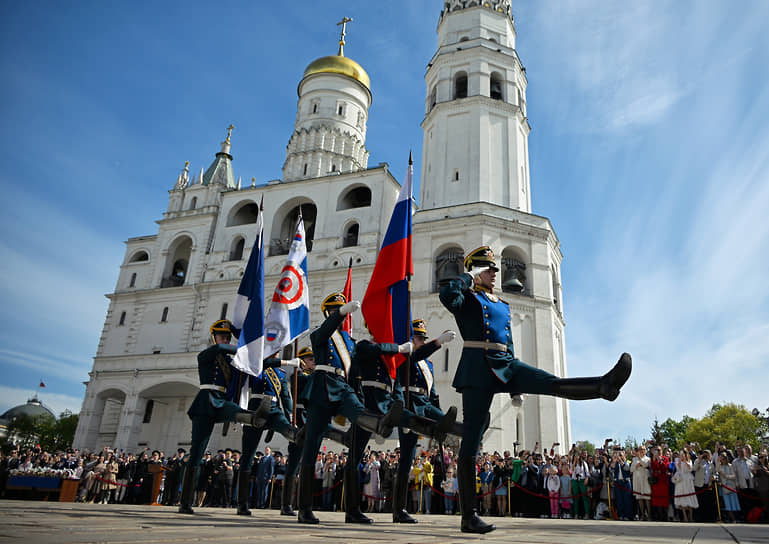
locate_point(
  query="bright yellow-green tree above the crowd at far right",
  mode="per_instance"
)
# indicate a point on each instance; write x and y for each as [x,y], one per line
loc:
[730,424]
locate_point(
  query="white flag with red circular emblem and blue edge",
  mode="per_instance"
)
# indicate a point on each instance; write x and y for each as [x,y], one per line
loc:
[289,314]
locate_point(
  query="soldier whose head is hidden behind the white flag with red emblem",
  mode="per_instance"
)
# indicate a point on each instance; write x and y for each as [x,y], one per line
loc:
[265,389]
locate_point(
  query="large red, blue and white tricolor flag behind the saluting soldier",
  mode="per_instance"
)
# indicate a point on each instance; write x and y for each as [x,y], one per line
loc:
[386,306]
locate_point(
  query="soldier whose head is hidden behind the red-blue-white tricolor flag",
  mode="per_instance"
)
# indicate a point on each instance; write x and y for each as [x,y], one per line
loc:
[379,392]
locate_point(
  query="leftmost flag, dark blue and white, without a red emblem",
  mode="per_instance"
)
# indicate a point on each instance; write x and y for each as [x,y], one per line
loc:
[248,310]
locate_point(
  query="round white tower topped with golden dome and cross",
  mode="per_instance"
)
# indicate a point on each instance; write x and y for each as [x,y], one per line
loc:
[330,130]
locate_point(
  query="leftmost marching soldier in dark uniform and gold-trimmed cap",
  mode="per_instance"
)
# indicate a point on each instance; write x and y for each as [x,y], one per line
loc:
[211,405]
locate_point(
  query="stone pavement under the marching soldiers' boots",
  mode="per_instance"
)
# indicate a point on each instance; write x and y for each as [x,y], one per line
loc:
[65,523]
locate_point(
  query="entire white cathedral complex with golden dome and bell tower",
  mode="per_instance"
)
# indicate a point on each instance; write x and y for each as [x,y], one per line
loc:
[475,190]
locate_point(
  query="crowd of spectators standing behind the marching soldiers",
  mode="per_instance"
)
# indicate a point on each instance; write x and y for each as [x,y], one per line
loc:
[648,482]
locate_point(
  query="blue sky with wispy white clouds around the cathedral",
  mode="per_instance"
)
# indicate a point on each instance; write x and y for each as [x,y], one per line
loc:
[649,154]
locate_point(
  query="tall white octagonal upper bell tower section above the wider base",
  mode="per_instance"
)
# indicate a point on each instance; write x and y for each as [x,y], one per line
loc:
[475,128]
